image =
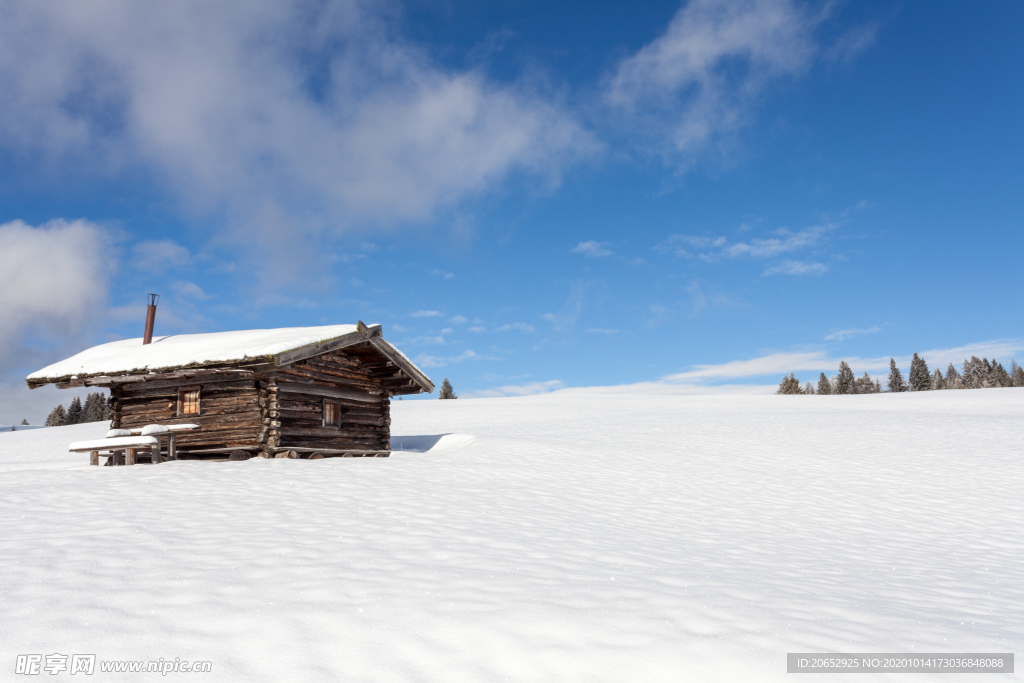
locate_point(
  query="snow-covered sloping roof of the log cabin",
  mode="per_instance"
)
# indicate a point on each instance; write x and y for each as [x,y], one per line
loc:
[175,352]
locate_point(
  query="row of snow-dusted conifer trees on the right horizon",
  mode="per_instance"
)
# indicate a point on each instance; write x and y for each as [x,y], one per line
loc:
[976,374]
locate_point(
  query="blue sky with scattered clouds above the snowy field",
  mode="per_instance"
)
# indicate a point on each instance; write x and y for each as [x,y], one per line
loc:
[527,196]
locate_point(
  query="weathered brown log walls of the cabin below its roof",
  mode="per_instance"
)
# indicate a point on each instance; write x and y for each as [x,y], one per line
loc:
[274,411]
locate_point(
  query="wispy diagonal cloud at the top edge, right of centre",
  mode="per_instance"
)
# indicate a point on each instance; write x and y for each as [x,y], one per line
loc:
[702,77]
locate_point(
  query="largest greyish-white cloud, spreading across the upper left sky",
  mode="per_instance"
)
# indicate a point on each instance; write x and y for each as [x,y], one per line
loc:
[287,115]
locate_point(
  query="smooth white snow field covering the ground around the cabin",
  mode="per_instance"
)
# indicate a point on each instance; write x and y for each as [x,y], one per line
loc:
[556,538]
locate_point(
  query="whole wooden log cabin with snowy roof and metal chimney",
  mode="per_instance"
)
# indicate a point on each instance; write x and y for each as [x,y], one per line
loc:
[322,392]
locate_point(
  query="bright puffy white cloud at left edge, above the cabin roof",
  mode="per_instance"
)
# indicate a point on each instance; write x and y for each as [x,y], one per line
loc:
[53,278]
